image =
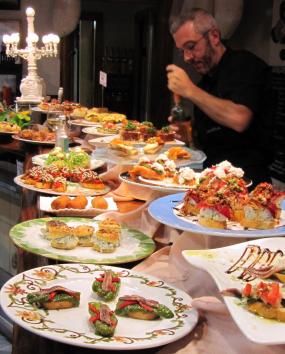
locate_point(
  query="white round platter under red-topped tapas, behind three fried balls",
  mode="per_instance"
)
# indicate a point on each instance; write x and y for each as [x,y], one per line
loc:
[73,189]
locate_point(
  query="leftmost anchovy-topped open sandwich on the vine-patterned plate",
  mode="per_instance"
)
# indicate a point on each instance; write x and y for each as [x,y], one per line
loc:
[54,298]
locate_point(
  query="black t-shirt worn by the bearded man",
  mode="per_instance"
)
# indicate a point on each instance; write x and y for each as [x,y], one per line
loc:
[244,79]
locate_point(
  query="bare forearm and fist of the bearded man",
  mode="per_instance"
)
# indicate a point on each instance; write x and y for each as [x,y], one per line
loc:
[223,111]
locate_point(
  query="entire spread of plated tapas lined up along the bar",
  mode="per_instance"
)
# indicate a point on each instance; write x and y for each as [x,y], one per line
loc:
[121,309]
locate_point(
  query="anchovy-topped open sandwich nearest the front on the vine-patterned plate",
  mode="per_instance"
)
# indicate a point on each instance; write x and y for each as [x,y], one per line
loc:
[102,318]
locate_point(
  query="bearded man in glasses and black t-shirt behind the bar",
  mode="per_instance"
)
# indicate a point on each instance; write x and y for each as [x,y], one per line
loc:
[231,120]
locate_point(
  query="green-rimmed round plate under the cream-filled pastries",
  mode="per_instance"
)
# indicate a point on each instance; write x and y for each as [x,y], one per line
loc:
[29,235]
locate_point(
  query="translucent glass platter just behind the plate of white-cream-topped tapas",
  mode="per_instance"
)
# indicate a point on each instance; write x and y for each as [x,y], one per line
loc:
[113,156]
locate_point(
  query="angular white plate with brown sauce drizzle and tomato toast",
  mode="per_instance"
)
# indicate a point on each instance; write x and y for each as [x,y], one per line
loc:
[216,262]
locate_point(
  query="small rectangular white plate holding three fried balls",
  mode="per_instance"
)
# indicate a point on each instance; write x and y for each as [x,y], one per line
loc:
[45,205]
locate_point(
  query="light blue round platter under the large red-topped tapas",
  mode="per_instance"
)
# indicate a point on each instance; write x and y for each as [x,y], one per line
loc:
[162,210]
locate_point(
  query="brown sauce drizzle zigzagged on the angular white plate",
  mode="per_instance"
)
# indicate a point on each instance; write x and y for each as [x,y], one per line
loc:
[263,257]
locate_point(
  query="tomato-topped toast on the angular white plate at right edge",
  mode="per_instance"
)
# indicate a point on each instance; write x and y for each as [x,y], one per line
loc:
[264,299]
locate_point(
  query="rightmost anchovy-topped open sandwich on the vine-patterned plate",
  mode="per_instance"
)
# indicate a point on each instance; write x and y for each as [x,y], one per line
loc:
[135,306]
